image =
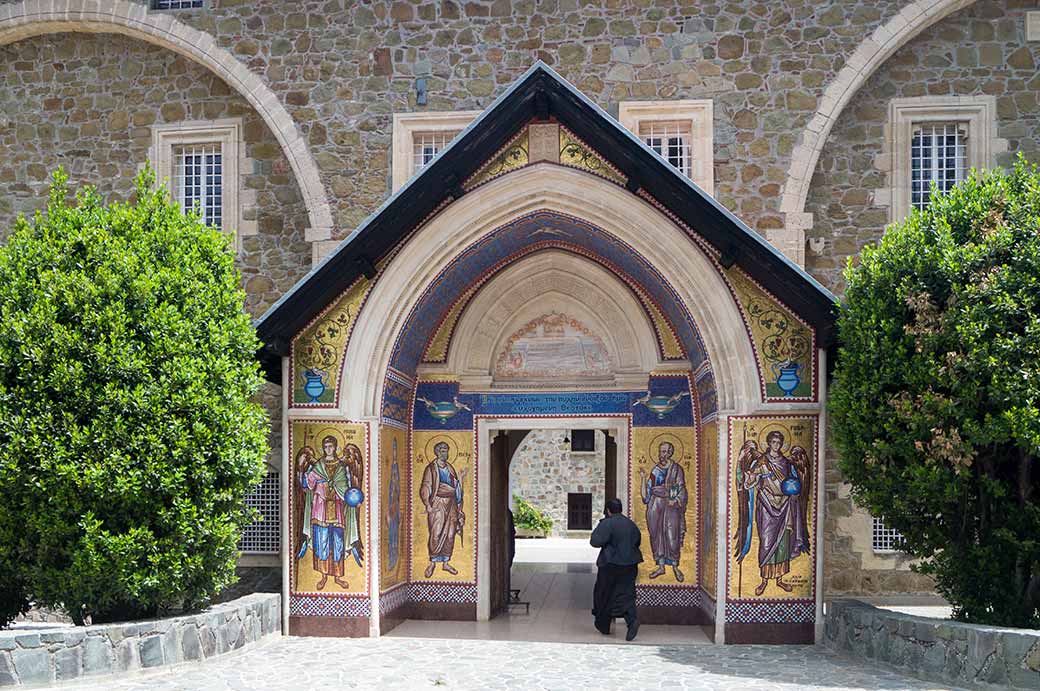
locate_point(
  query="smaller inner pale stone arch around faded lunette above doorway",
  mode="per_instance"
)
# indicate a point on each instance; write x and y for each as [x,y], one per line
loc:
[554,280]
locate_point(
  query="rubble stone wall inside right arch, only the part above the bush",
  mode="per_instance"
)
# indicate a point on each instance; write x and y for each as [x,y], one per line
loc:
[981,50]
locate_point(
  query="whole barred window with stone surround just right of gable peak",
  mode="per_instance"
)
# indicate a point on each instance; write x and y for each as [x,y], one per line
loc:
[681,132]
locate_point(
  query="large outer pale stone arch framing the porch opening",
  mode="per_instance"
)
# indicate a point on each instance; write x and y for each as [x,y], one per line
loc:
[544,187]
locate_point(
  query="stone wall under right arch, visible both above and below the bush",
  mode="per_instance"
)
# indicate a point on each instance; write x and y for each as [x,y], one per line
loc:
[981,50]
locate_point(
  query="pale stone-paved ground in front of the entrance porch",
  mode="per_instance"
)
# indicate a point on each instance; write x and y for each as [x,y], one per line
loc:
[389,663]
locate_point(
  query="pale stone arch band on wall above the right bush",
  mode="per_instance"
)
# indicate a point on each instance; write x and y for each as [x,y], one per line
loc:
[874,50]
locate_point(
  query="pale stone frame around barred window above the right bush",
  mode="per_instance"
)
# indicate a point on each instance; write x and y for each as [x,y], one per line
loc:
[978,114]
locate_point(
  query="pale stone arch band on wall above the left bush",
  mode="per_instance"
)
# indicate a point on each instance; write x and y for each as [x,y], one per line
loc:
[33,18]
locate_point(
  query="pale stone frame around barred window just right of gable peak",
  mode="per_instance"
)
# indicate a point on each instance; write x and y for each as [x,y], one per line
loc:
[697,113]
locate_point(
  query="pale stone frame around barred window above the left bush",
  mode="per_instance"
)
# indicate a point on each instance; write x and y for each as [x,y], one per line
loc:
[227,134]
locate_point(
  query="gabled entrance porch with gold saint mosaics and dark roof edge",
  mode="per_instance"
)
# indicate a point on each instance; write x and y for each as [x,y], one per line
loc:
[581,283]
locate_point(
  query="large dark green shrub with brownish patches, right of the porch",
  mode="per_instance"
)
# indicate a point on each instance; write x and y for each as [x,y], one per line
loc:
[935,405]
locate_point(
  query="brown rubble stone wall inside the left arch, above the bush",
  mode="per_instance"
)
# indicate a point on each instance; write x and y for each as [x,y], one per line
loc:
[88,103]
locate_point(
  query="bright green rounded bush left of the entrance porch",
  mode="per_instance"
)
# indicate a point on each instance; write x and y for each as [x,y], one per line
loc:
[129,437]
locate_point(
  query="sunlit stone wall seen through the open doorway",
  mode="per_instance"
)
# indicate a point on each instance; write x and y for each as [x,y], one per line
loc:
[544,470]
